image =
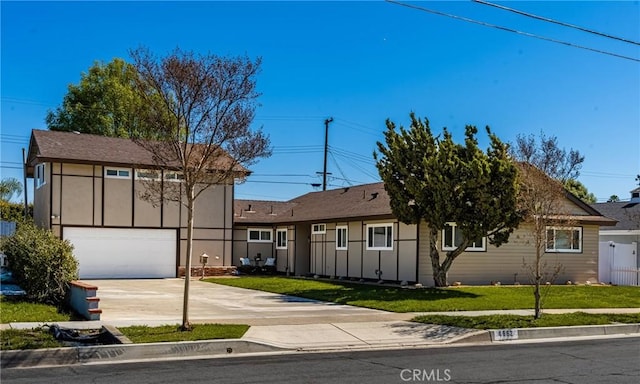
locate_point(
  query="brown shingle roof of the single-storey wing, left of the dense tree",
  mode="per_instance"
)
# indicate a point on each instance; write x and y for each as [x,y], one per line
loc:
[362,201]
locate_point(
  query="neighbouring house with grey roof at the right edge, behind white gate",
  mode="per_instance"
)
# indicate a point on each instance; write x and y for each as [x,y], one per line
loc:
[619,259]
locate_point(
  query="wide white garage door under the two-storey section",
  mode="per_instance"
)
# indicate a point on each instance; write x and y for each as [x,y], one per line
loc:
[123,252]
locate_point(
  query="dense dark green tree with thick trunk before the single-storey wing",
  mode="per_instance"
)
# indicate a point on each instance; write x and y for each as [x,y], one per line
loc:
[434,180]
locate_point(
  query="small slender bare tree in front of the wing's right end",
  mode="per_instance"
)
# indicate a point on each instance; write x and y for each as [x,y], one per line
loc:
[544,170]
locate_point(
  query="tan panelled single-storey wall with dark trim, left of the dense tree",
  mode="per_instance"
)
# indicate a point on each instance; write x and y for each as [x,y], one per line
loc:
[357,261]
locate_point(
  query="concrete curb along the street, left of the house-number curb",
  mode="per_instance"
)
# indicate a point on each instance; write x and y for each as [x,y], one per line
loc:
[123,352]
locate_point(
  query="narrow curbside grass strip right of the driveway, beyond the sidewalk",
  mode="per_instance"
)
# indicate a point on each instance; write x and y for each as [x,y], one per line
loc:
[514,321]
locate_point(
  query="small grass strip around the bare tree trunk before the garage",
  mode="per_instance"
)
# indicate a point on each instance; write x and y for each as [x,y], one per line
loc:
[166,333]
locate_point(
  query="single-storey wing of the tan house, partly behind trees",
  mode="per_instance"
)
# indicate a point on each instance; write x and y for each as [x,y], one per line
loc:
[352,233]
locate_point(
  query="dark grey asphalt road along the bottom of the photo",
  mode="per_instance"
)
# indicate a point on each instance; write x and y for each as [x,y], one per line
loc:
[584,362]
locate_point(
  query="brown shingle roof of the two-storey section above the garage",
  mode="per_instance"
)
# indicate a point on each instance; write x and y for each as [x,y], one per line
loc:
[82,148]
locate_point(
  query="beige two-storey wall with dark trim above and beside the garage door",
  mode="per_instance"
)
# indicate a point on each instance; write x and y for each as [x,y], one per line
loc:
[80,195]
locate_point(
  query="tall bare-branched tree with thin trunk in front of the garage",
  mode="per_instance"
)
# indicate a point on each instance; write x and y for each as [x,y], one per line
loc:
[200,111]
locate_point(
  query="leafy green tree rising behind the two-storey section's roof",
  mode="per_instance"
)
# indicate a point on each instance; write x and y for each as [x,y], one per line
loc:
[105,102]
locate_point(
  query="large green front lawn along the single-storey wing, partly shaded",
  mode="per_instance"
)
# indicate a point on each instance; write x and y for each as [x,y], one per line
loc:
[396,299]
